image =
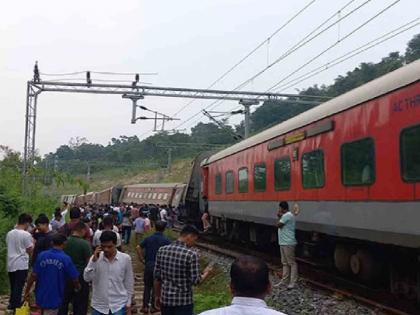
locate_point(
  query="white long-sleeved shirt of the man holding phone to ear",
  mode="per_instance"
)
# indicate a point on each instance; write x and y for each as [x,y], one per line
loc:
[112,282]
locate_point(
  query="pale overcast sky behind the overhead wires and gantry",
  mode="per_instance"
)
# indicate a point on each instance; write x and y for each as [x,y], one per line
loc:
[189,43]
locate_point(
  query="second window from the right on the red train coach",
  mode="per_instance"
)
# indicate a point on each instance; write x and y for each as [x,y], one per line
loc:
[358,162]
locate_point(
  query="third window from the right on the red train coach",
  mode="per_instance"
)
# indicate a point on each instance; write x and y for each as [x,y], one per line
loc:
[313,175]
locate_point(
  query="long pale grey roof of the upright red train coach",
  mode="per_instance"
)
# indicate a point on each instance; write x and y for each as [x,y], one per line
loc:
[380,86]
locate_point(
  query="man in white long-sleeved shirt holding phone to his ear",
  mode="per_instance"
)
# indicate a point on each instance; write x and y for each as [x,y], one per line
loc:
[111,274]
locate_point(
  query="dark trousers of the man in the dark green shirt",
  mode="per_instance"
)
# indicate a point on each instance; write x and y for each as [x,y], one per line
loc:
[79,300]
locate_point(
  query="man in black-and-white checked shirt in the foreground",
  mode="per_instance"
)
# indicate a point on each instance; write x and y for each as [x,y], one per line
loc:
[176,271]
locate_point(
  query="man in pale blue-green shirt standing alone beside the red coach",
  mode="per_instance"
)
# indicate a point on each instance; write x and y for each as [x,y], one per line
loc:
[287,243]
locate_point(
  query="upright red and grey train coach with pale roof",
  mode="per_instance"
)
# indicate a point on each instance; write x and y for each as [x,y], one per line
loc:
[352,165]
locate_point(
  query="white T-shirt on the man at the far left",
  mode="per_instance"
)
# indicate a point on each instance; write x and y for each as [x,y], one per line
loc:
[18,241]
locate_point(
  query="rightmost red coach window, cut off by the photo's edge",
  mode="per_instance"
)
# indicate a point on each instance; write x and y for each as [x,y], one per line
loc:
[410,153]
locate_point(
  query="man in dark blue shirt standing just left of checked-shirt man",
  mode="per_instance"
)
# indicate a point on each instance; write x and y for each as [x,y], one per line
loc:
[147,251]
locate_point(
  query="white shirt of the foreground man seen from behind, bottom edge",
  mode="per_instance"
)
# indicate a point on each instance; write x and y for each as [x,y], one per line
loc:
[244,306]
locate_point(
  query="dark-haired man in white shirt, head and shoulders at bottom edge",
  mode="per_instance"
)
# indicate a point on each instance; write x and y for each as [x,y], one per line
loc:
[249,285]
